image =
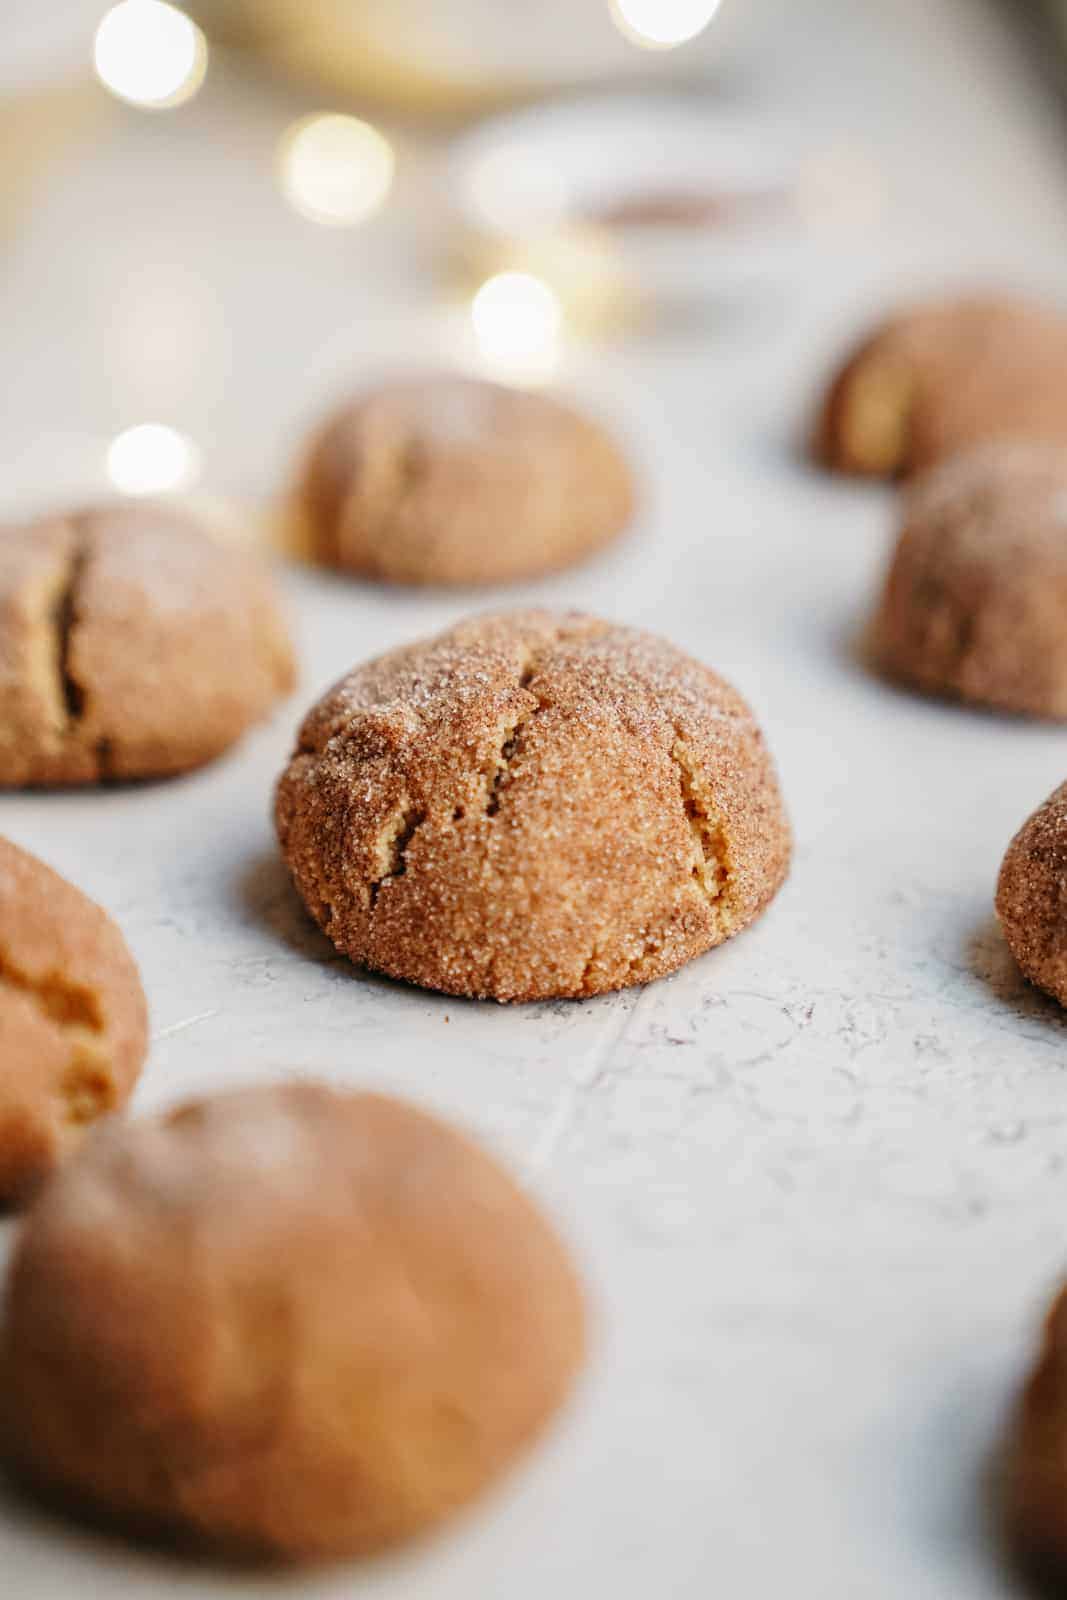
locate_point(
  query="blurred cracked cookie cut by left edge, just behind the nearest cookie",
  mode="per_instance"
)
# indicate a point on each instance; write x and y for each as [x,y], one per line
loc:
[73,1020]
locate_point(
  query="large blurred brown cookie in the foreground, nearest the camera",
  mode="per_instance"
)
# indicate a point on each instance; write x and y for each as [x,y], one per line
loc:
[286,1322]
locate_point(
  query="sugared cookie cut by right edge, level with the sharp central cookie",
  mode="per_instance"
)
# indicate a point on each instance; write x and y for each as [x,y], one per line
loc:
[1033,897]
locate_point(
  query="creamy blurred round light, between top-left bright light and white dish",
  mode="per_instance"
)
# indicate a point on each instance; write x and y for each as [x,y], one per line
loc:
[335,169]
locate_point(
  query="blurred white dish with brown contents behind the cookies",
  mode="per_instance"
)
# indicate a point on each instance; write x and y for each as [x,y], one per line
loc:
[690,199]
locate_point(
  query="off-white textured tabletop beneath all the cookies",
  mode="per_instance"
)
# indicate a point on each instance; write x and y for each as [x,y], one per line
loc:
[818,1180]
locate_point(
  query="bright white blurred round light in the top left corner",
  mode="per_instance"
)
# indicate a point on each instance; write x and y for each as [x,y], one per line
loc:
[150,54]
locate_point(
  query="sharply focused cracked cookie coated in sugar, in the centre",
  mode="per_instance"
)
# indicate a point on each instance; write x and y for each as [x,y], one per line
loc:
[532,806]
